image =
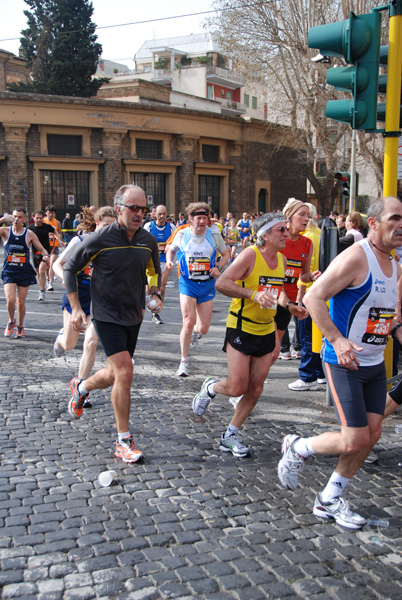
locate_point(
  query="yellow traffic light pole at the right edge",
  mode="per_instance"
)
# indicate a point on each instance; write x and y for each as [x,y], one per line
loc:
[392,118]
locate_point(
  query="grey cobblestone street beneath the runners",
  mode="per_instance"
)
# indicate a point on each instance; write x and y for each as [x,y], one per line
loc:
[189,522]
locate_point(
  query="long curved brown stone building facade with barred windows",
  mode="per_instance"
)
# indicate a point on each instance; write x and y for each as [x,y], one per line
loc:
[73,152]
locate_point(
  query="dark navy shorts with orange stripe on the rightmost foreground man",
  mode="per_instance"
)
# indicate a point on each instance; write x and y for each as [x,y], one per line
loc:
[356,393]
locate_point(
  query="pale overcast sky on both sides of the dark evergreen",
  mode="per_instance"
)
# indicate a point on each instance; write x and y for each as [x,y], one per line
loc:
[119,43]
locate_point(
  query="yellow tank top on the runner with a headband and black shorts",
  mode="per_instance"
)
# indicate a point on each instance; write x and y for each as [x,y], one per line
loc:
[246,314]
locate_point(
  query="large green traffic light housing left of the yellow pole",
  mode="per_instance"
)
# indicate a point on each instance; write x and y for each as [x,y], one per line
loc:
[357,40]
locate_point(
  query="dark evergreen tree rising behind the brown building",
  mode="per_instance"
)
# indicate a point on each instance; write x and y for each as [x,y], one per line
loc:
[60,48]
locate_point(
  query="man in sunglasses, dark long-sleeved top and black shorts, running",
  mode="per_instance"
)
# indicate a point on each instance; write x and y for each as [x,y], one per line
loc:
[124,256]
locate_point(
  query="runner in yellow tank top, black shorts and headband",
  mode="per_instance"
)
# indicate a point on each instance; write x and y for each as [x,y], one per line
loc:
[253,280]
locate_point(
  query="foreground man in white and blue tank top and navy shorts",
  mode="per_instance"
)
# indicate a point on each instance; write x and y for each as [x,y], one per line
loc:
[362,286]
